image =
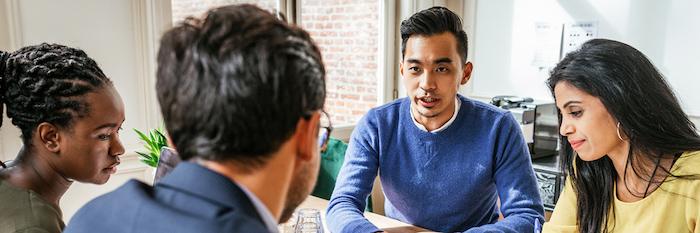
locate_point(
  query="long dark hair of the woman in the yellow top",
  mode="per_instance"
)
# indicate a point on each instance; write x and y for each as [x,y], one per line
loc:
[637,96]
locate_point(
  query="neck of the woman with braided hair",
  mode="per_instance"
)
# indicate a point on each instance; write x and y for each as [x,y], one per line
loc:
[33,172]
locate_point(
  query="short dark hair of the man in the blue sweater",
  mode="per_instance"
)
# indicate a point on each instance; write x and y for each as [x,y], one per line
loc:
[433,21]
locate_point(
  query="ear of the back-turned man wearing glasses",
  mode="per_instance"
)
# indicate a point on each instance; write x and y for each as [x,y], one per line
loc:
[307,136]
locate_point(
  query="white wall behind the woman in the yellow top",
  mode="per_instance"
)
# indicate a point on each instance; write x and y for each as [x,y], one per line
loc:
[666,31]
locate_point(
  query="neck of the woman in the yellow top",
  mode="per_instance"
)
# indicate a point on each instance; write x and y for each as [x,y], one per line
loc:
[634,185]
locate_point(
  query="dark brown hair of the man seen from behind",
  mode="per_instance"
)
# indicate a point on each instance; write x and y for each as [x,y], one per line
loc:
[233,86]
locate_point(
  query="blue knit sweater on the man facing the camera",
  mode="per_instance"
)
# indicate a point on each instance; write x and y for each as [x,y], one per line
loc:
[447,181]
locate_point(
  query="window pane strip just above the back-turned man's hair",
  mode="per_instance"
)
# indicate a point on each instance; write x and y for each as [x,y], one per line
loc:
[184,8]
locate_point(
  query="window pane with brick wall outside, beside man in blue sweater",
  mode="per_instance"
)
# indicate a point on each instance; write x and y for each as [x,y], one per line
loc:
[347,32]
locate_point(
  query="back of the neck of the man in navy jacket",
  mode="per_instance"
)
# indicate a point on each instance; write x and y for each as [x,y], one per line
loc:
[269,183]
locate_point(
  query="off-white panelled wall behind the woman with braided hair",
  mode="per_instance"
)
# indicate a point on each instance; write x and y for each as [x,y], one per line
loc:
[119,35]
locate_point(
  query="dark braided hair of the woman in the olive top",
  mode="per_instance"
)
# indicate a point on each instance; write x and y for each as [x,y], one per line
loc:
[44,83]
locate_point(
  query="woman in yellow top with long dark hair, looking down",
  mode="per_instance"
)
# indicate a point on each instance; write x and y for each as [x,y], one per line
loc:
[635,160]
